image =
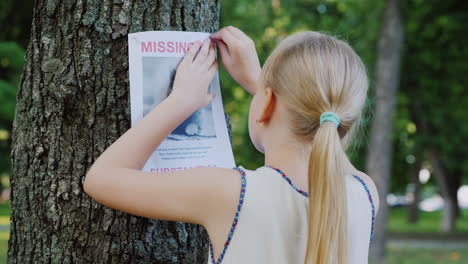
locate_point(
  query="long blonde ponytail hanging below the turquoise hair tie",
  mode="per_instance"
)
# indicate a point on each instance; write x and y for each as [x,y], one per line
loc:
[327,231]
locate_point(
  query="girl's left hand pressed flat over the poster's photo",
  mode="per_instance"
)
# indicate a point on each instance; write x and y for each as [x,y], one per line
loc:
[194,74]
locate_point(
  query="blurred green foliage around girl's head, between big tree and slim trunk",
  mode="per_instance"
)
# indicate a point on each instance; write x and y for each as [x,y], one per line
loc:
[268,22]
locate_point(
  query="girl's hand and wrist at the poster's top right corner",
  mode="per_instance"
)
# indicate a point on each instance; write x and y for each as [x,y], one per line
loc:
[239,56]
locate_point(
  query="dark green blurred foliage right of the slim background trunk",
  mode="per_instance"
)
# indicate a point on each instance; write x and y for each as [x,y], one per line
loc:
[432,112]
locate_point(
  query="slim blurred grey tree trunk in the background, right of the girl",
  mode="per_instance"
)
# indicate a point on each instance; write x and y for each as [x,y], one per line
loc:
[380,149]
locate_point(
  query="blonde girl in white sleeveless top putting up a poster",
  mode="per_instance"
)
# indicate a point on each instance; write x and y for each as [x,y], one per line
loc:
[306,106]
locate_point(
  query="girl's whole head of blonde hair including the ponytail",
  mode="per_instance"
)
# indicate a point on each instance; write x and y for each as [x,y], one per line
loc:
[312,73]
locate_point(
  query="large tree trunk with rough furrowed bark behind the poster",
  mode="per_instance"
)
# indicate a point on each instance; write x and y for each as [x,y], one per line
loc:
[71,105]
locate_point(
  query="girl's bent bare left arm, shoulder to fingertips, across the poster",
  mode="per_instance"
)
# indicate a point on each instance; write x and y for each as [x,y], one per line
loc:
[194,195]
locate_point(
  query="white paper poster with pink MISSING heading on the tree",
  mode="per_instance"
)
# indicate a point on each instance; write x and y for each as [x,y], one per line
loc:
[202,139]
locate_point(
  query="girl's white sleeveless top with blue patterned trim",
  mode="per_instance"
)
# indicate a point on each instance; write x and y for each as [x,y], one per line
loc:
[270,225]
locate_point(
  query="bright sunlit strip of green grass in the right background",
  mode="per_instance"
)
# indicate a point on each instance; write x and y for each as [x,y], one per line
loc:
[428,221]
